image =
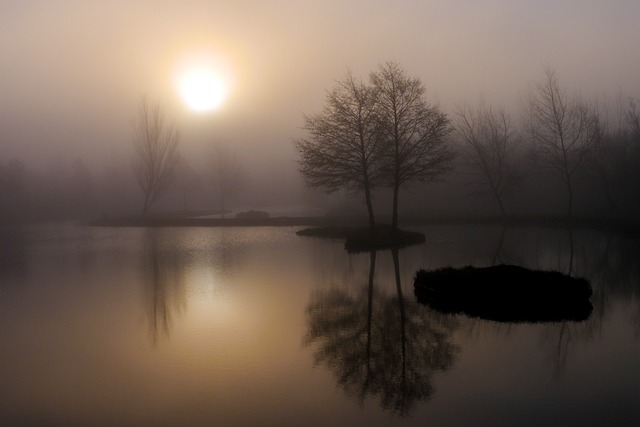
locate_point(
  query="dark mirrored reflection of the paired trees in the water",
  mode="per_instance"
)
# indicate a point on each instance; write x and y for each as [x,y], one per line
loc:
[379,344]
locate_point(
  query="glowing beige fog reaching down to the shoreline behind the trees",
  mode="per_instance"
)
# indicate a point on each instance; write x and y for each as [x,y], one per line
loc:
[73,74]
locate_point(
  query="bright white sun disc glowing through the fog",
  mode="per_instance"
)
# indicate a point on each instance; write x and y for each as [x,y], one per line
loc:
[202,89]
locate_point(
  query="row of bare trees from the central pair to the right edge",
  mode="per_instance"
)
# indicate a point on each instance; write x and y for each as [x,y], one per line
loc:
[384,133]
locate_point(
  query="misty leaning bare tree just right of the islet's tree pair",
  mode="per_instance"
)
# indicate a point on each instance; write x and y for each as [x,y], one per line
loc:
[489,144]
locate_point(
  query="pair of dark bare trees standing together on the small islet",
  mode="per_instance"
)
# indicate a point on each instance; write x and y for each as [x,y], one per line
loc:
[379,133]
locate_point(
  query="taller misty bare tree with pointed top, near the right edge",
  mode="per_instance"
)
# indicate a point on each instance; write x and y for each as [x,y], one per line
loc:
[562,128]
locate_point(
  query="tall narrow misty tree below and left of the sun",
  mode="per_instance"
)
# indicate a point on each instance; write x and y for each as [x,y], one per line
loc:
[156,152]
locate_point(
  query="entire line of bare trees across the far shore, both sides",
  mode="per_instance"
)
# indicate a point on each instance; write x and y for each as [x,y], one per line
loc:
[378,134]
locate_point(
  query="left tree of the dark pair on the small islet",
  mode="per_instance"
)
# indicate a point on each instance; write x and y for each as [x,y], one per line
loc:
[342,146]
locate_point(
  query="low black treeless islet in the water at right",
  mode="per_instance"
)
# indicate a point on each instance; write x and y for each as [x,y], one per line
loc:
[505,293]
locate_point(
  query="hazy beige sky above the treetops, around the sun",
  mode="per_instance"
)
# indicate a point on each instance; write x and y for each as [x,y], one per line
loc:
[72,72]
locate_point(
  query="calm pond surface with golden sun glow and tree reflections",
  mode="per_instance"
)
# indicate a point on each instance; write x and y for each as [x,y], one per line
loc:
[260,327]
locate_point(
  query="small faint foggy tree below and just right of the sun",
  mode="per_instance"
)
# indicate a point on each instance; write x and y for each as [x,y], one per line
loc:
[228,174]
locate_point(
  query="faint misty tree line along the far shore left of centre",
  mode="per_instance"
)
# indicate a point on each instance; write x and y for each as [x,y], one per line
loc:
[73,190]
